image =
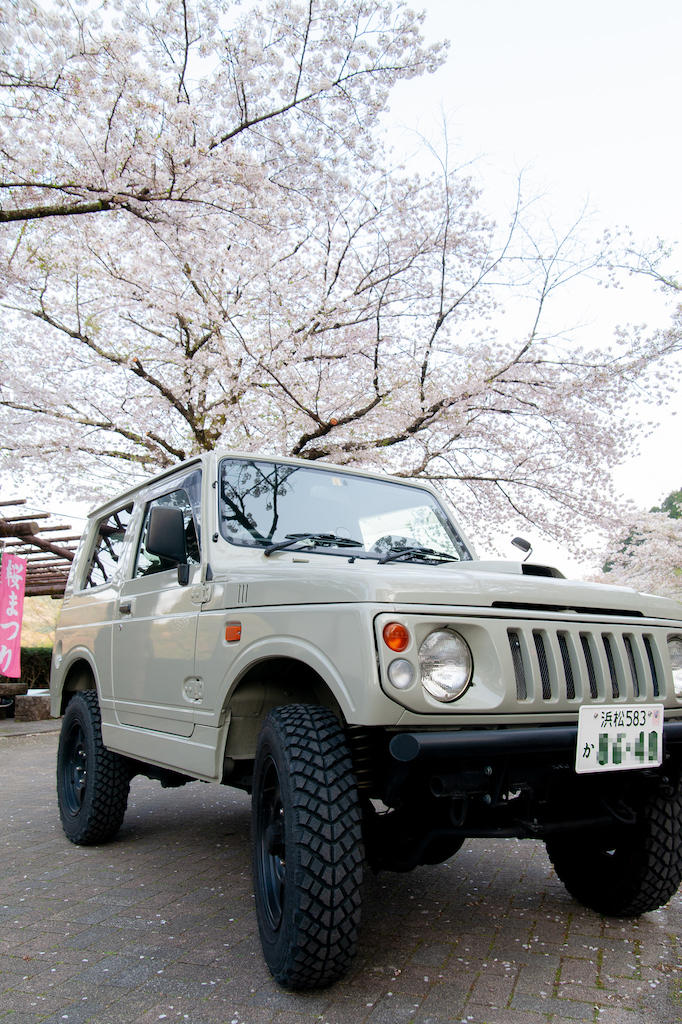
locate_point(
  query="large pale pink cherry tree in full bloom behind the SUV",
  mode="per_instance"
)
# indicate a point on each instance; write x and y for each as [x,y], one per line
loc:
[206,243]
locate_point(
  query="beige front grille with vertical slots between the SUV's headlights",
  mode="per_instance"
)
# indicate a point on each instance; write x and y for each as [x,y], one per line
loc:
[566,663]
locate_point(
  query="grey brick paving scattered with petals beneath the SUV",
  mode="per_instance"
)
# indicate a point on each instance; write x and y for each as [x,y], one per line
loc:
[159,926]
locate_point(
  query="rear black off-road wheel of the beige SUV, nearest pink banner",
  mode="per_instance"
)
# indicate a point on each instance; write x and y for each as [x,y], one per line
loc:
[93,782]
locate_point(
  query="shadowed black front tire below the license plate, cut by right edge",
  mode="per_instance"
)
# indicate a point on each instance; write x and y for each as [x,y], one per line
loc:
[626,871]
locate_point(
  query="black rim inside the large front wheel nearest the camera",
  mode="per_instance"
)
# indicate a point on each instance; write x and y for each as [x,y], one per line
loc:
[272,846]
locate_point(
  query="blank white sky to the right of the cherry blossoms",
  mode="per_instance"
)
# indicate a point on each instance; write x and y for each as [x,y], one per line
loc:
[584,99]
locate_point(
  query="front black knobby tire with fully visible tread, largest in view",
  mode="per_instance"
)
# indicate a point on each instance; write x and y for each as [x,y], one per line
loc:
[308,847]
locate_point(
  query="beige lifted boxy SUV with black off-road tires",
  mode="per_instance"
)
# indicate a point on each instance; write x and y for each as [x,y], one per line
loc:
[327,641]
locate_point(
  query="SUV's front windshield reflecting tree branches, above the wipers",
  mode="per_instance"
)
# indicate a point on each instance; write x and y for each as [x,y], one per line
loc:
[264,504]
